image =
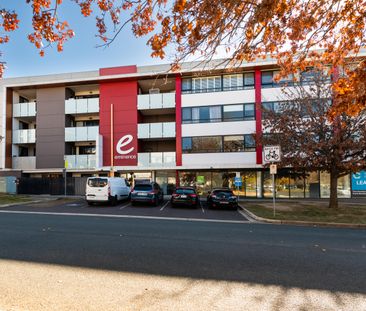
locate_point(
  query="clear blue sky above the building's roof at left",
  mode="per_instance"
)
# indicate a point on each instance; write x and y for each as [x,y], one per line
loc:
[80,53]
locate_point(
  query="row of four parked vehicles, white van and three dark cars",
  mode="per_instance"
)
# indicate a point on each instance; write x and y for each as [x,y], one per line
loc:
[113,189]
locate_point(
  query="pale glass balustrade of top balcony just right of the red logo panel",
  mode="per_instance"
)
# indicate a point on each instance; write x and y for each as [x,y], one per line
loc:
[156,101]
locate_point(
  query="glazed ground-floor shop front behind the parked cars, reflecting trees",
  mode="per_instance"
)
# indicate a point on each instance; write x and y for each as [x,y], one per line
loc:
[253,183]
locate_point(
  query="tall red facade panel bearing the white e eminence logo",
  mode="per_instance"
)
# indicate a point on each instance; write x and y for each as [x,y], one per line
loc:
[121,98]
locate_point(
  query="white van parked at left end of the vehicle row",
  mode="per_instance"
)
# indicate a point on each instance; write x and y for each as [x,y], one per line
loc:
[106,189]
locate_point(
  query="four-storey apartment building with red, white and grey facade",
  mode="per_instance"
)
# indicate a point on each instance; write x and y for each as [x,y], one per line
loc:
[193,127]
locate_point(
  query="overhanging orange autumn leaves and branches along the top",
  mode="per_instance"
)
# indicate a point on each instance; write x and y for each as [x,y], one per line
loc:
[290,31]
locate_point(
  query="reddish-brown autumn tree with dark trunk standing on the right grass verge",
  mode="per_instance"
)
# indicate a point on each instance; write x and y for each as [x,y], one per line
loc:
[310,139]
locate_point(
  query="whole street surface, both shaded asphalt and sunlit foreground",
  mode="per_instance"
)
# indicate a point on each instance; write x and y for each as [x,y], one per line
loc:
[300,267]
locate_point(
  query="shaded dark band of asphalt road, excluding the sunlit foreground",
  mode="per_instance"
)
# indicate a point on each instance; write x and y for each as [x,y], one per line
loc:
[303,257]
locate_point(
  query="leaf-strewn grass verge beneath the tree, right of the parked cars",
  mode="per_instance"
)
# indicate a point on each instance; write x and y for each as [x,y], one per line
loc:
[316,212]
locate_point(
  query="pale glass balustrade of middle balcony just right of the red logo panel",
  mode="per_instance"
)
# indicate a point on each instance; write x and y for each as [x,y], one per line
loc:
[156,130]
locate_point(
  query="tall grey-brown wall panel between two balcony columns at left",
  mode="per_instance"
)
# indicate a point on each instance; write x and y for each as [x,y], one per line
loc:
[50,133]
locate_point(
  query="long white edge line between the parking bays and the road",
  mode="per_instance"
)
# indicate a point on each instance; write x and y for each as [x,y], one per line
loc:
[128,216]
